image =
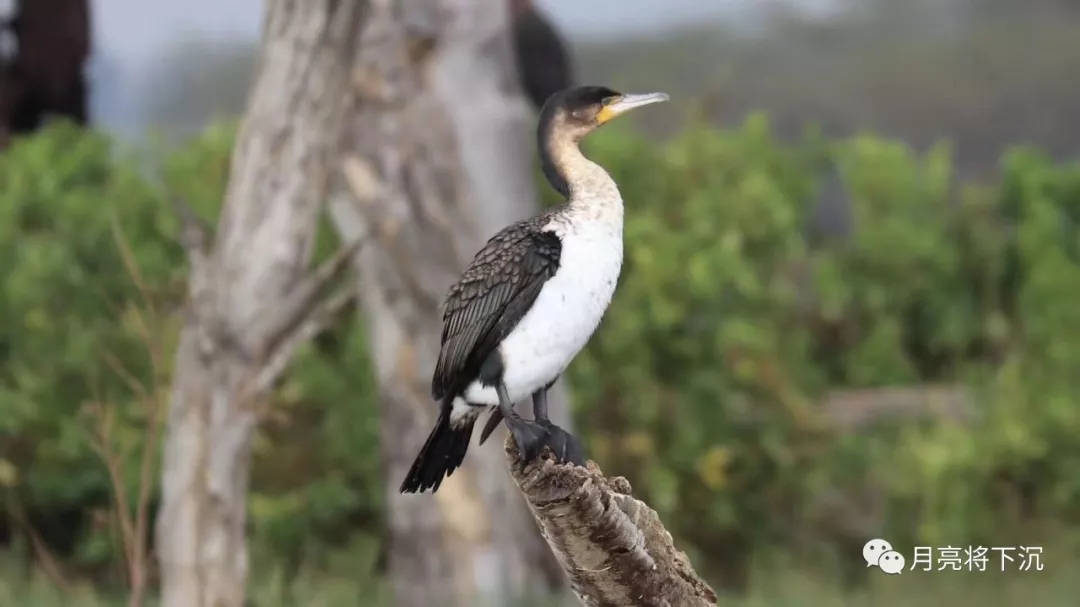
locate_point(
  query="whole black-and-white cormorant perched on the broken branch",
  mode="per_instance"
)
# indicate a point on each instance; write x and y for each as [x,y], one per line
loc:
[532,298]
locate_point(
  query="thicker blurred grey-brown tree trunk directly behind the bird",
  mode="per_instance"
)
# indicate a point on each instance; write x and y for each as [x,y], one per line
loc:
[441,159]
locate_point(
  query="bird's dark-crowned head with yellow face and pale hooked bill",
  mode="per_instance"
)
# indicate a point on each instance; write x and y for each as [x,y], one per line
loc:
[580,111]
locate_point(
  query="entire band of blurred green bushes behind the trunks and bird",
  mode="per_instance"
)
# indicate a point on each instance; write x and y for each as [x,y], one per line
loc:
[706,385]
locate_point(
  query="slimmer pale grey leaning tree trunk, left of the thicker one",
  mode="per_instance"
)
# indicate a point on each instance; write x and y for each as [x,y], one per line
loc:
[252,301]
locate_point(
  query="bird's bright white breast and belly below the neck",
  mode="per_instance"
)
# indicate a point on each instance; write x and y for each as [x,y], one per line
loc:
[565,315]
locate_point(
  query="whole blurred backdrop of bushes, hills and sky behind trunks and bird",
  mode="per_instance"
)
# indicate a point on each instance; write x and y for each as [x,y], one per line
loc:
[850,308]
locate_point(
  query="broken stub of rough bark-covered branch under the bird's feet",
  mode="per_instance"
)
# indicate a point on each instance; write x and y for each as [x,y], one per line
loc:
[613,547]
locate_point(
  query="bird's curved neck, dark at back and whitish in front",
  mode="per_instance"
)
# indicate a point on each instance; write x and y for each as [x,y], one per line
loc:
[582,182]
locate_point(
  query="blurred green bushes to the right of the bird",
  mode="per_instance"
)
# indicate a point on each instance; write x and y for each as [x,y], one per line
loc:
[730,328]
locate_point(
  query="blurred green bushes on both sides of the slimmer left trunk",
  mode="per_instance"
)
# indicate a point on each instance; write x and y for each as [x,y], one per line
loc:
[93,282]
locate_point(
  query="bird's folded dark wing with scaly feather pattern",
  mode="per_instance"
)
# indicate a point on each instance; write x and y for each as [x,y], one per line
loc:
[494,294]
